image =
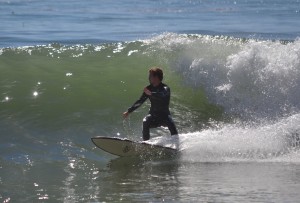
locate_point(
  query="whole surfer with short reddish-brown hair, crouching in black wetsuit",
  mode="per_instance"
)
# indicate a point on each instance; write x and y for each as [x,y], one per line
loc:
[159,95]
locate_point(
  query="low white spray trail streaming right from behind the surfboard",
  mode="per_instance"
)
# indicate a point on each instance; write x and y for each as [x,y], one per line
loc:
[276,142]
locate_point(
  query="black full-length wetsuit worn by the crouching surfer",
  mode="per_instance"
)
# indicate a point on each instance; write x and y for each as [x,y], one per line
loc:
[159,114]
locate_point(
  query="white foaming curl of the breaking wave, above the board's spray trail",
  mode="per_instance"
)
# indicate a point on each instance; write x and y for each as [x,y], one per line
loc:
[250,78]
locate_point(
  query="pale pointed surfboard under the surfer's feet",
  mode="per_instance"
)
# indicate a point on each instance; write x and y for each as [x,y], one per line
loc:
[127,148]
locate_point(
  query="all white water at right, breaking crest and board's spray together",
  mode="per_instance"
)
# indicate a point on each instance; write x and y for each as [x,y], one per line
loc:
[258,85]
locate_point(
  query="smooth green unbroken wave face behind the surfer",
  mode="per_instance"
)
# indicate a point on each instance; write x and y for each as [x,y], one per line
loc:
[61,90]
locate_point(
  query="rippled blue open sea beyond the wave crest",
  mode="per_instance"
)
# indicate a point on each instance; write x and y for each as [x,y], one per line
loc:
[39,22]
